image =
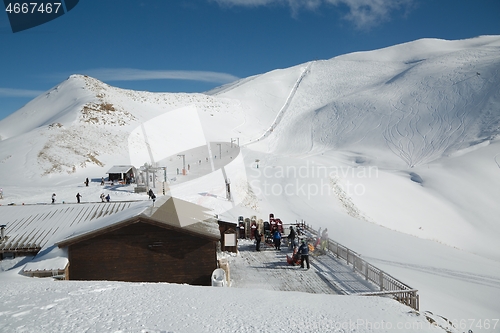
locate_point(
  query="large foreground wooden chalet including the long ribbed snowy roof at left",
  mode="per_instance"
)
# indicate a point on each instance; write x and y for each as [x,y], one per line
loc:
[173,241]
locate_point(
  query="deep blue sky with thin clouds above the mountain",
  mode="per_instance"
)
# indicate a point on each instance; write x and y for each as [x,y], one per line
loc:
[196,45]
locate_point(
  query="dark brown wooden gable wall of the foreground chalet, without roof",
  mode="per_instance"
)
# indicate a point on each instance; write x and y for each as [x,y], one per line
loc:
[142,252]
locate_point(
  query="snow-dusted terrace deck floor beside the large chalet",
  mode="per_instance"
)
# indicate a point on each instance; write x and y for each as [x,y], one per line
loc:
[269,270]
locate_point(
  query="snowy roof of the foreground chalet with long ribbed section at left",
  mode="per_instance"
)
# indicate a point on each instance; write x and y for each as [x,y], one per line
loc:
[40,228]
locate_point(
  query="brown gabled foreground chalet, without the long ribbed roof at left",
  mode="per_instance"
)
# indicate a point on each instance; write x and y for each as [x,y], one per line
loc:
[160,245]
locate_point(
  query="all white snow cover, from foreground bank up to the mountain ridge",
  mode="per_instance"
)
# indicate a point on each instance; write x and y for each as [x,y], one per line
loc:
[395,151]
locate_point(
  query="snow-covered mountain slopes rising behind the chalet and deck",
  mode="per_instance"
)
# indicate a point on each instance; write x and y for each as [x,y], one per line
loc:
[395,150]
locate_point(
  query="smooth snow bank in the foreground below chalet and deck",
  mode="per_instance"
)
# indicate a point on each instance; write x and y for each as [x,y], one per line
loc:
[48,306]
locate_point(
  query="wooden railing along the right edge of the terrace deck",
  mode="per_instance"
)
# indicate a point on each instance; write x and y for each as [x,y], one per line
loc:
[388,284]
